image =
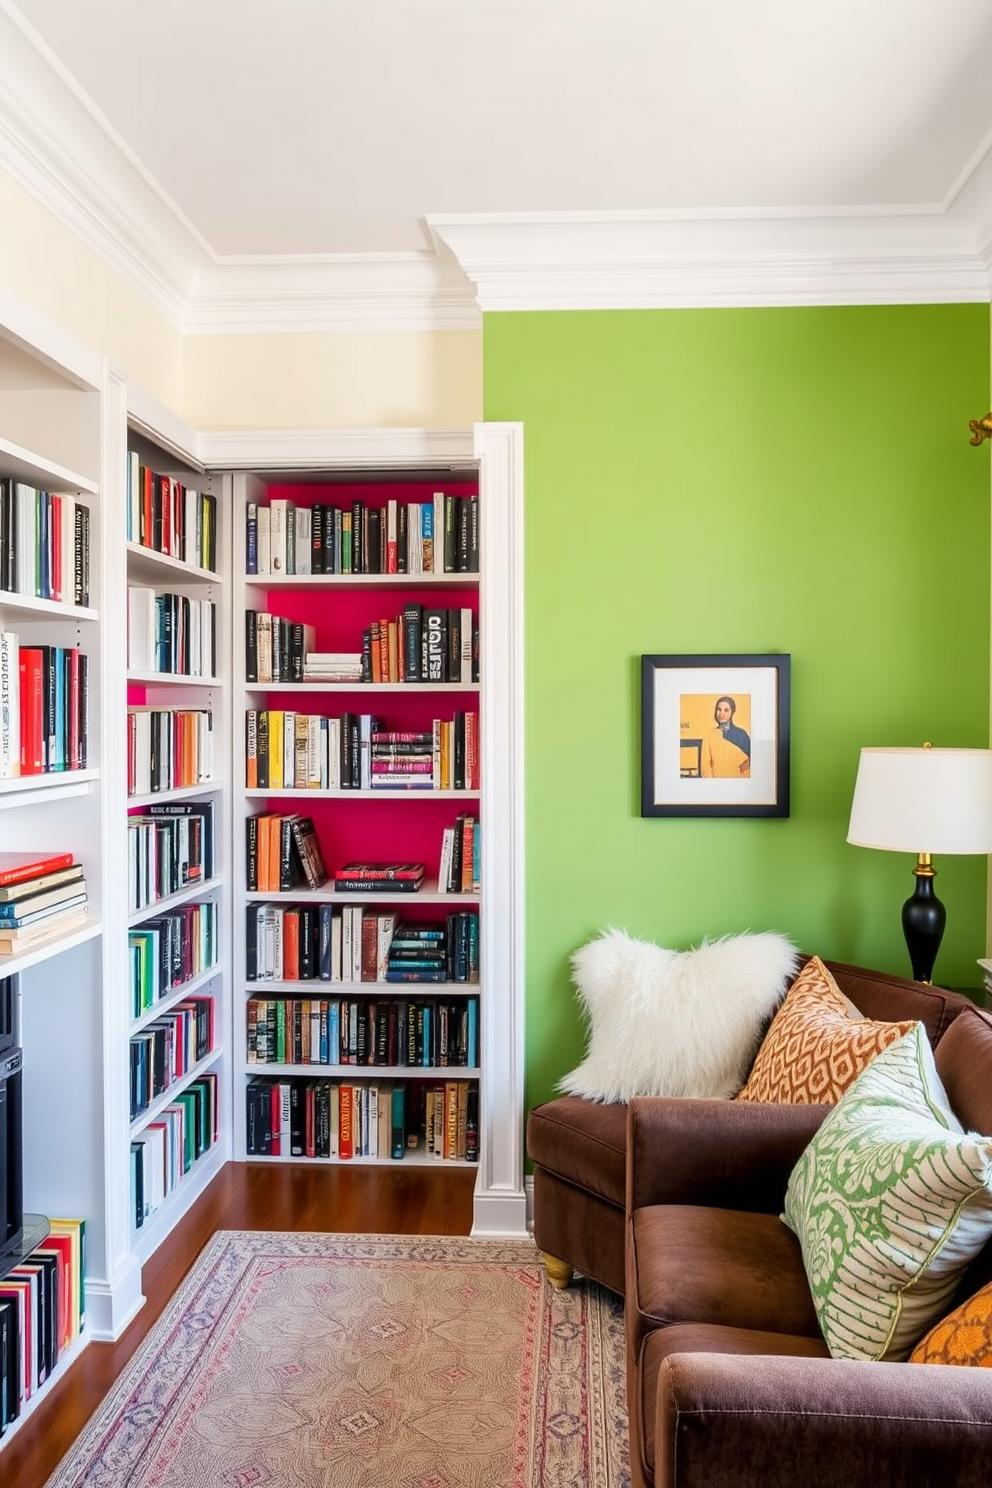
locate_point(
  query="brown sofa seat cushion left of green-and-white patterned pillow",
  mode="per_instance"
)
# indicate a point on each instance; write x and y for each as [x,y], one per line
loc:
[689,1264]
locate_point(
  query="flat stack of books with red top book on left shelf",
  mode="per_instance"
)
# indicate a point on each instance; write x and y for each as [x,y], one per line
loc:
[42,895]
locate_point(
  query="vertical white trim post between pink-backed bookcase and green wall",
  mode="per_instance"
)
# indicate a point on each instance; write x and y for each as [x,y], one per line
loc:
[500,1206]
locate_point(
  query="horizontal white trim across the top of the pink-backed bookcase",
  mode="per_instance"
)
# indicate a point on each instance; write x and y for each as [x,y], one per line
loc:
[323,449]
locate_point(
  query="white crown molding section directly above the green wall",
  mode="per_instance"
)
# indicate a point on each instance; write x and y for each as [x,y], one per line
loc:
[661,261]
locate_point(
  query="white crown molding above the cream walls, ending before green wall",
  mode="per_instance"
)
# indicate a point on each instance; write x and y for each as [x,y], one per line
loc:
[62,151]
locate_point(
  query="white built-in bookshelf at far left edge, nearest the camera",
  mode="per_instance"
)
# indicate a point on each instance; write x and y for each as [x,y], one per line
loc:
[53,403]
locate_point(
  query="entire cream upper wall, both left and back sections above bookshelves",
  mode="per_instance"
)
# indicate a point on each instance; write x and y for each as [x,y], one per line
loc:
[431,380]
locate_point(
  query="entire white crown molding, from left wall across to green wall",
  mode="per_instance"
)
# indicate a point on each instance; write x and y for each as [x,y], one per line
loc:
[57,147]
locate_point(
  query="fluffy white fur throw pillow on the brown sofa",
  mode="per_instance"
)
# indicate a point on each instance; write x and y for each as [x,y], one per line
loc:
[676,1023]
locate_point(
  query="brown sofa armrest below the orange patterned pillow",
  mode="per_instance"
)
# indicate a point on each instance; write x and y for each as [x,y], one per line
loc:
[721,1154]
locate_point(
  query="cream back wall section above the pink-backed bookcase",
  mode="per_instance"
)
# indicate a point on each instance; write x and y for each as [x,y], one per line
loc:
[376,380]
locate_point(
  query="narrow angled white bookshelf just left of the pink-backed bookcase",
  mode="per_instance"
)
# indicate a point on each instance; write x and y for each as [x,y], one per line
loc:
[178,824]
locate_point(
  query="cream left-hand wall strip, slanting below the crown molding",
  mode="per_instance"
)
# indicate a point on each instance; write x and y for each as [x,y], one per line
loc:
[47,266]
